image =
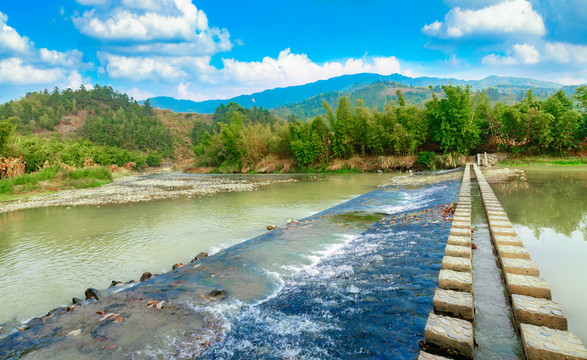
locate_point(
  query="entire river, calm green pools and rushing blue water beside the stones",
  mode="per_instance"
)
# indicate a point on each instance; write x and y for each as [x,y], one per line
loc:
[332,286]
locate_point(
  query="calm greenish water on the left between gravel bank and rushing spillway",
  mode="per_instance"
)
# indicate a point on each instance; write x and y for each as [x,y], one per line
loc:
[49,255]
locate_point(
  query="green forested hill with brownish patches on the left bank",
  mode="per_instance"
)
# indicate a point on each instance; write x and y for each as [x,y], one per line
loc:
[68,127]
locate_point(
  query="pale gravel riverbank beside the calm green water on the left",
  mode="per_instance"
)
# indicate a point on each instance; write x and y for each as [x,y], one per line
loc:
[138,188]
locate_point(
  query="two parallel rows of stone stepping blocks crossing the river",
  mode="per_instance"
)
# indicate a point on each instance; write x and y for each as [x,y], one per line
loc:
[540,322]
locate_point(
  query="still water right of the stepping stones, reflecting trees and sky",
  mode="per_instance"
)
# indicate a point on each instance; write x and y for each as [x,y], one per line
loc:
[549,213]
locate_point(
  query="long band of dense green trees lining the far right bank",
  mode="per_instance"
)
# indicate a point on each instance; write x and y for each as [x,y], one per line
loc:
[455,122]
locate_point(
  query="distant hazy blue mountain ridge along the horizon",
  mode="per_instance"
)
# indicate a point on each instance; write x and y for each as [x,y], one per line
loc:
[279,97]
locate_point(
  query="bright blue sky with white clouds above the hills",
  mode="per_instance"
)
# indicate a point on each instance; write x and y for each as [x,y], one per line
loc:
[218,49]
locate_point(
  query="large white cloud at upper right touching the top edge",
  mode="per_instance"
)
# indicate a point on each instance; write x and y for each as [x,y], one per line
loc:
[510,17]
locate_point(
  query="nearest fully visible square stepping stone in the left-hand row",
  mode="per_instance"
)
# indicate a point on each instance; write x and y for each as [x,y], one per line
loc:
[451,335]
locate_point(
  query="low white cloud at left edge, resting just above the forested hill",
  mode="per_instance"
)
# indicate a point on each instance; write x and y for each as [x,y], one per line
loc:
[13,71]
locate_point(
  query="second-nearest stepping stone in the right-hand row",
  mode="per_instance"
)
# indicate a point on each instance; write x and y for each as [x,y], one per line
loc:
[539,312]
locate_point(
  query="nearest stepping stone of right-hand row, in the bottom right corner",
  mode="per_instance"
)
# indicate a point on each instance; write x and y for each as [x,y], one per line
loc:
[540,342]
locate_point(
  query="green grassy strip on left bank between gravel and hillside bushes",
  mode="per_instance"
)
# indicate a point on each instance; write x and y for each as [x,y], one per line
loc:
[52,179]
